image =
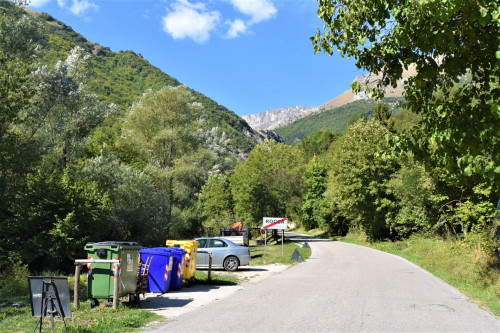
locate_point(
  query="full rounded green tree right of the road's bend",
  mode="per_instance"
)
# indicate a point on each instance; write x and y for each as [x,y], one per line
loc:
[359,175]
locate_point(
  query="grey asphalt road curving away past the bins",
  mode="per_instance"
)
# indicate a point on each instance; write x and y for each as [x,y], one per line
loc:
[342,287]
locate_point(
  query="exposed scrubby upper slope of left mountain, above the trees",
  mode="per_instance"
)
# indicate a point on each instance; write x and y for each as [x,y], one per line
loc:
[122,77]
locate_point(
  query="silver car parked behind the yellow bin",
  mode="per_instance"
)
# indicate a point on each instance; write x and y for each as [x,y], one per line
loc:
[226,254]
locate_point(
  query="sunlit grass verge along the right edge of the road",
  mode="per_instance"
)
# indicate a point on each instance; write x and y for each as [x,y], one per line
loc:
[463,266]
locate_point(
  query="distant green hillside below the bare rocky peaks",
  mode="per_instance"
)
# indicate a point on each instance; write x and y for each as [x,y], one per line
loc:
[334,120]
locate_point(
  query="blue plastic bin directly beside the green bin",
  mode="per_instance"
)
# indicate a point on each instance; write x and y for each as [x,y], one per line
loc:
[160,270]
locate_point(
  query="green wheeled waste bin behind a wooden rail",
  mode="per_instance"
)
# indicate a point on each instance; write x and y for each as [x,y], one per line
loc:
[101,276]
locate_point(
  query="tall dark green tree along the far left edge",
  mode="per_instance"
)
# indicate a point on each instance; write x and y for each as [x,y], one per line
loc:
[20,38]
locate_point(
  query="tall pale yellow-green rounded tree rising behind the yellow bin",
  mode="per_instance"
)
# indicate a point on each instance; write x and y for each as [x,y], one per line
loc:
[161,133]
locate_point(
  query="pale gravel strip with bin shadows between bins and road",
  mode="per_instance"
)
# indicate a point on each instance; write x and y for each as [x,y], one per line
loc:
[175,303]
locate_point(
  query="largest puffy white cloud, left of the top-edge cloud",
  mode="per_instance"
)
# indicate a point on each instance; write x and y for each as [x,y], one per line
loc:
[188,20]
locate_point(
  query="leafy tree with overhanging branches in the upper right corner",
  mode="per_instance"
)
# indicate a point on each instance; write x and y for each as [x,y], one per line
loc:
[462,124]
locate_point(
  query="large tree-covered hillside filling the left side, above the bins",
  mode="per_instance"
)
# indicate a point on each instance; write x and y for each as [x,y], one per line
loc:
[97,145]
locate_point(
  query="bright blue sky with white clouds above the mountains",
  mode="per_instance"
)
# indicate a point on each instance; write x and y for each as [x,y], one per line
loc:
[248,55]
